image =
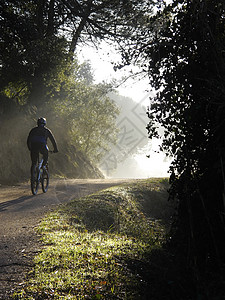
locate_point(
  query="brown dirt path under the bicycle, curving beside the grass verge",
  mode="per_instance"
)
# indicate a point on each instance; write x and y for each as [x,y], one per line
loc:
[20,213]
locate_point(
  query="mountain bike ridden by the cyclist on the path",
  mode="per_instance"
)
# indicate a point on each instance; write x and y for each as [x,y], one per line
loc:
[39,175]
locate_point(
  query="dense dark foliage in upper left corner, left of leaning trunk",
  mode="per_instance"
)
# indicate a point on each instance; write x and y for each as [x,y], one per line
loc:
[29,53]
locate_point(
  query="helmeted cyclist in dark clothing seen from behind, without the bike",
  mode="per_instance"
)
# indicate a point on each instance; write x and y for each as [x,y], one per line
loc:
[37,142]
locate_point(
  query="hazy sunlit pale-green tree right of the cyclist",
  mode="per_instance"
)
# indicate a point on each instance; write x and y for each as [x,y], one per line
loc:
[89,116]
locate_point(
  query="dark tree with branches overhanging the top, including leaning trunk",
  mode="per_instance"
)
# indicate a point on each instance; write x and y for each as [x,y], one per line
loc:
[39,37]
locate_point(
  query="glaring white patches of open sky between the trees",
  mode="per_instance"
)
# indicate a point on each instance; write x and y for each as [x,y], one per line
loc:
[137,166]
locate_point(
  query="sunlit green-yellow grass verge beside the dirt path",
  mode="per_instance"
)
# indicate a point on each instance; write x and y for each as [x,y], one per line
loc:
[94,247]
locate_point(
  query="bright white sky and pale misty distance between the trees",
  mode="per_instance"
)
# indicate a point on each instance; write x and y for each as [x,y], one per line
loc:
[134,164]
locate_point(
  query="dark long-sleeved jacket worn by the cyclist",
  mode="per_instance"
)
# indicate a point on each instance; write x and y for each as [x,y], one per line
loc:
[40,135]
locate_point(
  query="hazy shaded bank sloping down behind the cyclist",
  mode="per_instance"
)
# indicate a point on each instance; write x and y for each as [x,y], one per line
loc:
[15,156]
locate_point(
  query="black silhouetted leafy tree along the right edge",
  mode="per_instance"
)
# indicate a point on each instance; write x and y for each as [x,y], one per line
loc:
[186,64]
